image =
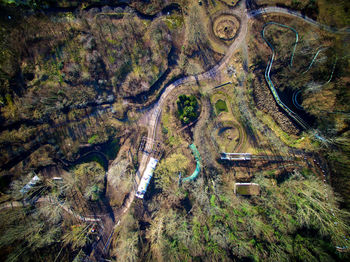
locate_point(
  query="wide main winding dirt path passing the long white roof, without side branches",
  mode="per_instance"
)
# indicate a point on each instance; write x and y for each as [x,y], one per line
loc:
[152,115]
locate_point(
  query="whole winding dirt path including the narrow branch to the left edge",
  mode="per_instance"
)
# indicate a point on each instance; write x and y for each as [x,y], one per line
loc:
[152,116]
